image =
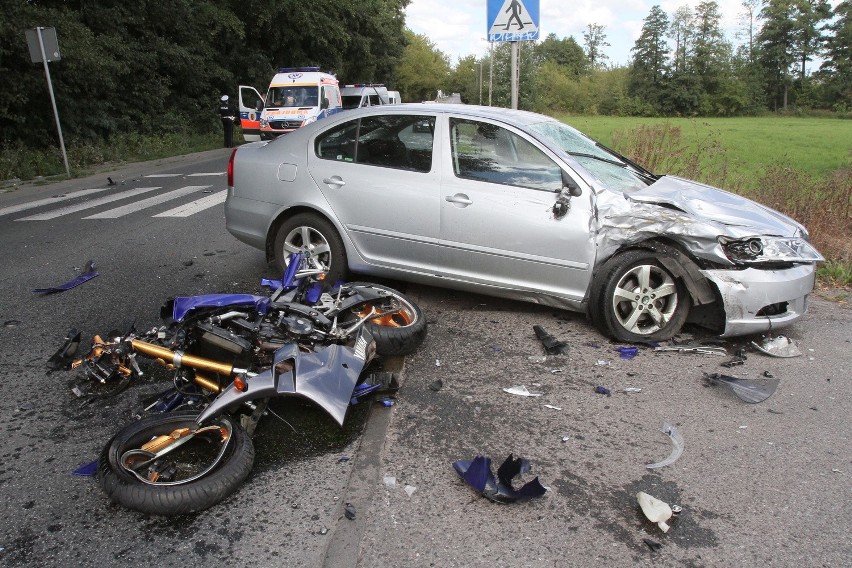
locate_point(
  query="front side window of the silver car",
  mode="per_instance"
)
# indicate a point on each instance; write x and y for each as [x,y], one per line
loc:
[486,152]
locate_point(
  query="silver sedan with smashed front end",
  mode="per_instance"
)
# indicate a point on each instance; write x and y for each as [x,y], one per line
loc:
[519,205]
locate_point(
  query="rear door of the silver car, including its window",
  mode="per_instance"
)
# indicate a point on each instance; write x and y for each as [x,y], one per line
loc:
[379,174]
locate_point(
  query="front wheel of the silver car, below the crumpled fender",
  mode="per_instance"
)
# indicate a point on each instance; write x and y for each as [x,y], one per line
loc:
[635,298]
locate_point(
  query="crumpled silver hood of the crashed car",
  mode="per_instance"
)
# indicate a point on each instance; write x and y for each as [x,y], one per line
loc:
[709,203]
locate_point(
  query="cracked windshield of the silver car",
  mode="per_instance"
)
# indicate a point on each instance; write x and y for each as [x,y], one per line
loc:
[615,171]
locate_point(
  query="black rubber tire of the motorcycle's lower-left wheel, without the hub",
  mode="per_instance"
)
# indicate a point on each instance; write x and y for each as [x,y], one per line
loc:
[229,469]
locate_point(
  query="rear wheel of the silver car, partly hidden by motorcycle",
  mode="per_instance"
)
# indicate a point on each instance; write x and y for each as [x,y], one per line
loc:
[311,234]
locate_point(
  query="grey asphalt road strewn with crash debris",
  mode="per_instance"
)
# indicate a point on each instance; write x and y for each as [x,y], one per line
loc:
[760,484]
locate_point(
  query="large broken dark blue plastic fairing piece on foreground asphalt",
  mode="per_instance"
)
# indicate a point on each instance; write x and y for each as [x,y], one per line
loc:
[477,473]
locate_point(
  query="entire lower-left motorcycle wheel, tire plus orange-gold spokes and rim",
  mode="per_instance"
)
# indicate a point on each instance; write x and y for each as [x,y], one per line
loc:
[167,465]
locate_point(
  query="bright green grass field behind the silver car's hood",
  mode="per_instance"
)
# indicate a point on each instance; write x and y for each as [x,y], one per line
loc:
[816,146]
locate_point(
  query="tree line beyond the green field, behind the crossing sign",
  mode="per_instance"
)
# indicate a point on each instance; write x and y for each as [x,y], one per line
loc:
[682,65]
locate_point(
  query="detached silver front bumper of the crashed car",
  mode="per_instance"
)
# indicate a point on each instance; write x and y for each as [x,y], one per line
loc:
[757,300]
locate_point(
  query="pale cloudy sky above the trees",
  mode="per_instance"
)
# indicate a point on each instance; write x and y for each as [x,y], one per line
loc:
[458,27]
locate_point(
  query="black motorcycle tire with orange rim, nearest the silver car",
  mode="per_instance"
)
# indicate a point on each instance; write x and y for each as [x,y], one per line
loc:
[398,333]
